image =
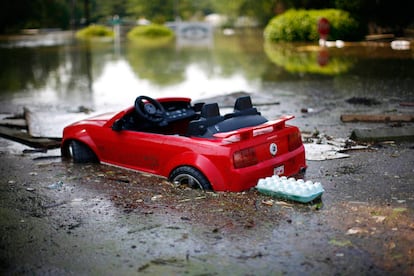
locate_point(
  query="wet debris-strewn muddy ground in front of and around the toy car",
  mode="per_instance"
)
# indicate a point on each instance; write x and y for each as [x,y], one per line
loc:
[60,218]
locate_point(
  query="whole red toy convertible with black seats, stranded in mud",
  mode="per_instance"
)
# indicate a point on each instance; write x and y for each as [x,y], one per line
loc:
[190,144]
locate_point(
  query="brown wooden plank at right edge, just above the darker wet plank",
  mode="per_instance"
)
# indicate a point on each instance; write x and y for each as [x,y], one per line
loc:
[377,118]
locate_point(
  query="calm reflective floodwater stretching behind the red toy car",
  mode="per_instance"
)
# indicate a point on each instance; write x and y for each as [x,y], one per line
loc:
[57,71]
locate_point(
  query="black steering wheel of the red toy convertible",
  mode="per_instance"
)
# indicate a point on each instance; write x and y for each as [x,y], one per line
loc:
[150,109]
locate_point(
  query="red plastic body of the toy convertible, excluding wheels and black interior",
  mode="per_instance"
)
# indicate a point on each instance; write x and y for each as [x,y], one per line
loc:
[230,161]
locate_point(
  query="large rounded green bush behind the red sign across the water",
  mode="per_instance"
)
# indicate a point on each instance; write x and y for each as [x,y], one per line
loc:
[302,25]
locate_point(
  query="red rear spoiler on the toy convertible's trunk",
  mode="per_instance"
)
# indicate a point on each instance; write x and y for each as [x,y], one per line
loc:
[249,132]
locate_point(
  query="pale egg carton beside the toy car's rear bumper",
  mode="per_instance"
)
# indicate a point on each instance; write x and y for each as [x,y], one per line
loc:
[290,188]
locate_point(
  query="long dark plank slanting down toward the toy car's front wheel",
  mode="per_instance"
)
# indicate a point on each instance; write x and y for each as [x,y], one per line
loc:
[23,137]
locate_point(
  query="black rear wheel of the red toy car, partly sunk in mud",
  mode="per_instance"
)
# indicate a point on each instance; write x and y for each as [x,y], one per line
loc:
[191,177]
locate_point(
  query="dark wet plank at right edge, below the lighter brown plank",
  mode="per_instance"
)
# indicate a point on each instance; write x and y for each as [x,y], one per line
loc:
[383,134]
